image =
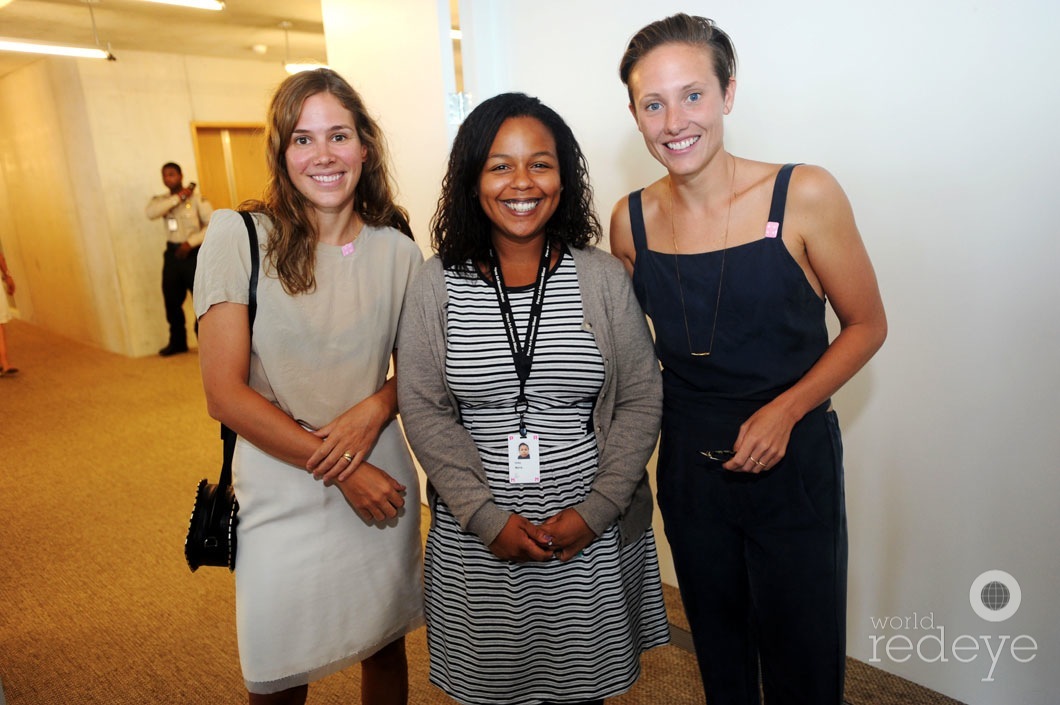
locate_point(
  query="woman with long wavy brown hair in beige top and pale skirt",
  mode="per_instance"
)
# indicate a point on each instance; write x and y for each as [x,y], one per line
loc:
[328,568]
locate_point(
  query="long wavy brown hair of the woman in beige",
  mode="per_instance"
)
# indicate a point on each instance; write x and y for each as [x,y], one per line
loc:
[292,243]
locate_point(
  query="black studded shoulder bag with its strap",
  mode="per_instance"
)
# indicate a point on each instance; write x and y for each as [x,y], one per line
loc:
[211,533]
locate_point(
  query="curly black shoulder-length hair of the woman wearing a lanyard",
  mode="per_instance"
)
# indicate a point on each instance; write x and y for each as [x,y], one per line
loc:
[461,230]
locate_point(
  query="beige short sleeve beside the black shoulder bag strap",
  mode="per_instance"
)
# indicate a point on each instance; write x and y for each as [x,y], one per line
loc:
[223,271]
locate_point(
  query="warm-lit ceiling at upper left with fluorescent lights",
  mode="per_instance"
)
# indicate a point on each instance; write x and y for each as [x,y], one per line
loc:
[142,26]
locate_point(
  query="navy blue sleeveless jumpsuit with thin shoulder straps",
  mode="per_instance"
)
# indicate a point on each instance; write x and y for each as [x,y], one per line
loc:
[762,560]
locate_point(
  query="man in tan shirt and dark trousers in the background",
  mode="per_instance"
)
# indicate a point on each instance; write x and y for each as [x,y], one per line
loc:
[186,217]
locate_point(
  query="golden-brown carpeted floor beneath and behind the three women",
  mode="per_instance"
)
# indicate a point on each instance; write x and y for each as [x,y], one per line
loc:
[99,460]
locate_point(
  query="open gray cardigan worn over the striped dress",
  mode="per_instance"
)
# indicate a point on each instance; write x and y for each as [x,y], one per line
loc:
[626,417]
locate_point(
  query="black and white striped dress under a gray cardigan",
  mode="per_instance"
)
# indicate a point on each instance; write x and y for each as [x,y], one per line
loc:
[502,632]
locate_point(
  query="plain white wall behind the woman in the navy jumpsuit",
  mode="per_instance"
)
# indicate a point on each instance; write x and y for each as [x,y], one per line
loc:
[940,119]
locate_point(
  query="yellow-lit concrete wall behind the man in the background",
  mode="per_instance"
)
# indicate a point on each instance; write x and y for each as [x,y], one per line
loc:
[83,144]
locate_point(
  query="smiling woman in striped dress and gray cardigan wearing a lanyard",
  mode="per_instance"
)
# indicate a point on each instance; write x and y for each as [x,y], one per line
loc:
[541,574]
